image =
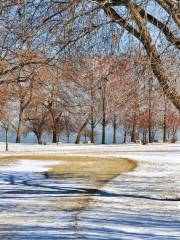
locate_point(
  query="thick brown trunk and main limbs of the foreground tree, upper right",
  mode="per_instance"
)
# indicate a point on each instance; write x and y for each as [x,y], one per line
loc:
[136,21]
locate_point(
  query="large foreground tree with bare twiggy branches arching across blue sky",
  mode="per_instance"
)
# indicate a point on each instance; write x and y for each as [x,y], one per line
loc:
[59,20]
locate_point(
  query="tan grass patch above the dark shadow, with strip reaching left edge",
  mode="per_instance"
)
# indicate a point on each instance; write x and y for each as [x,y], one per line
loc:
[99,169]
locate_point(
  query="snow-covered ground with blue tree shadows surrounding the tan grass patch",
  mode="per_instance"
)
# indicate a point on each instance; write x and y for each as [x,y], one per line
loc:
[143,204]
